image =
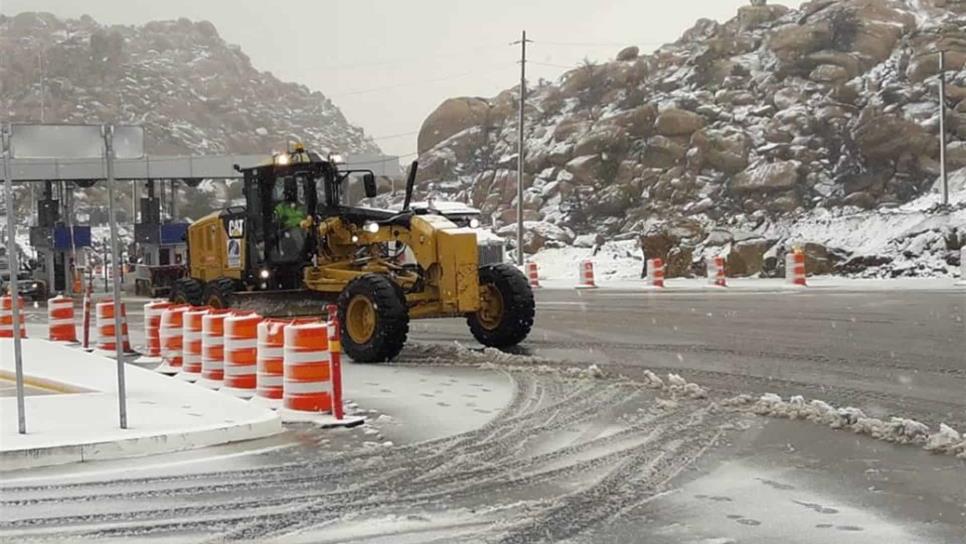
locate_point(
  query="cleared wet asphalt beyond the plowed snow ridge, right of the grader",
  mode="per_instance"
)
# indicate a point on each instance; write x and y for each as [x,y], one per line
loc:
[887,352]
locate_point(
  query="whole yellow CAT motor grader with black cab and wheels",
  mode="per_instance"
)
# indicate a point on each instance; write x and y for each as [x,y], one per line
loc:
[295,247]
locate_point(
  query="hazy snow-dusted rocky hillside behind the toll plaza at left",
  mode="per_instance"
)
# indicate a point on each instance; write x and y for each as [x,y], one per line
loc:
[193,92]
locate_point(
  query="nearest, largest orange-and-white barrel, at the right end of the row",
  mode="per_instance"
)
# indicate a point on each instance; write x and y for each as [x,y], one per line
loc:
[307,383]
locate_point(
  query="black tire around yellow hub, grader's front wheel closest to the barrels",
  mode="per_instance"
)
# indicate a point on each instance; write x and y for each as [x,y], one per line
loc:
[391,319]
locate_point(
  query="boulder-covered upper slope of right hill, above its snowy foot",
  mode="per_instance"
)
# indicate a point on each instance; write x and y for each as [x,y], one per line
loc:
[769,114]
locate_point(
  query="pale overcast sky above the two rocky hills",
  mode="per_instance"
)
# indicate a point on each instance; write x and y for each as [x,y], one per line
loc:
[388,63]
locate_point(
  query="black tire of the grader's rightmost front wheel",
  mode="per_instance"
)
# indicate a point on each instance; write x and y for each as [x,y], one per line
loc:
[518,307]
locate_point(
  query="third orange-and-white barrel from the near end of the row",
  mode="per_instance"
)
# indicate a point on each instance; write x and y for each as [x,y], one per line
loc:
[240,349]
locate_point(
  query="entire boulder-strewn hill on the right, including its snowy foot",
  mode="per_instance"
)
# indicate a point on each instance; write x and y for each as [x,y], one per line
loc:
[729,137]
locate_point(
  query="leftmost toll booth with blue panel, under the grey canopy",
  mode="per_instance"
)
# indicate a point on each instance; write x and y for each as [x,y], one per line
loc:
[62,249]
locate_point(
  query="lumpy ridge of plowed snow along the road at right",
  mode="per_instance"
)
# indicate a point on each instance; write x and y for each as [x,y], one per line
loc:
[898,430]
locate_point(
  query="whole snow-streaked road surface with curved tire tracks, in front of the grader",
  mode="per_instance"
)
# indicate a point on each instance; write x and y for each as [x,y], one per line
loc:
[578,459]
